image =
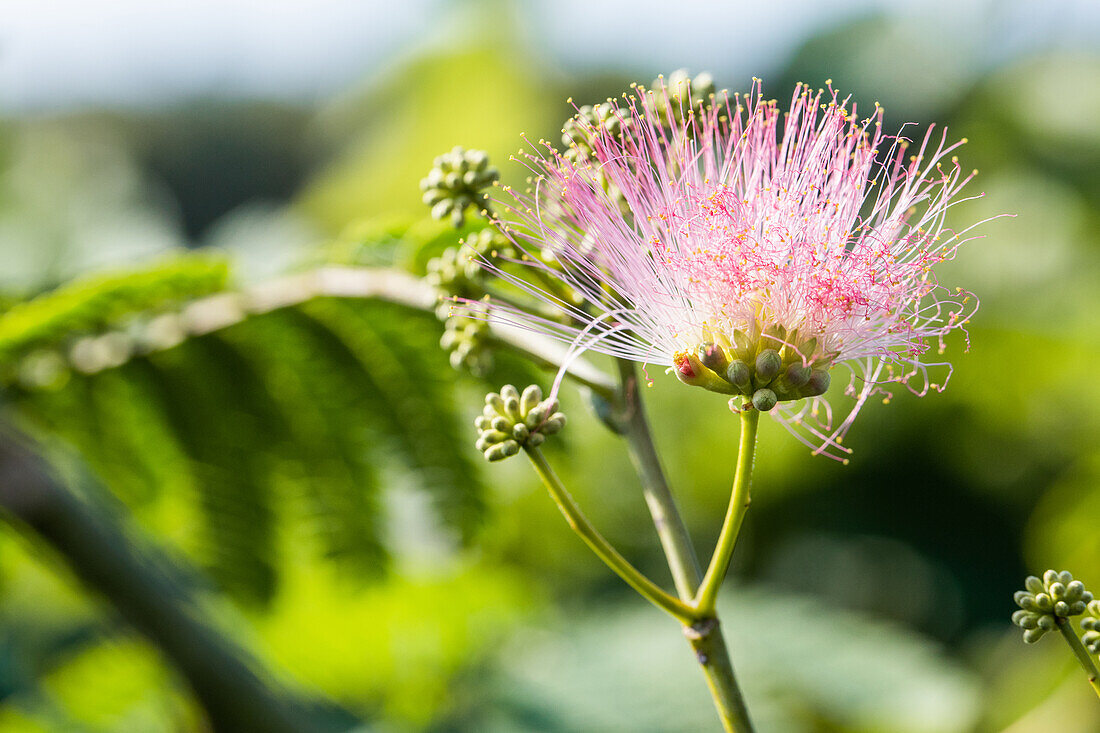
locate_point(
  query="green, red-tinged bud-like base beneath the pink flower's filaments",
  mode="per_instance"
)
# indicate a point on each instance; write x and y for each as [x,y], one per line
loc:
[768,367]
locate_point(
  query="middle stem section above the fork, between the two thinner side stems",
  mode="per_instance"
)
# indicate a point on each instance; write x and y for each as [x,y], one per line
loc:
[670,527]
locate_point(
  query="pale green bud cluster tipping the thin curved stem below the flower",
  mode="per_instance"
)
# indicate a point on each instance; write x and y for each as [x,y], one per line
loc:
[512,421]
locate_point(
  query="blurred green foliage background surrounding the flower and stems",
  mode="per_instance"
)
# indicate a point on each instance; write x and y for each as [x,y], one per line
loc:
[311,471]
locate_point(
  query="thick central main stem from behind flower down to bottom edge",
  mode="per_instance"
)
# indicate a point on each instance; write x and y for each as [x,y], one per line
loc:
[706,636]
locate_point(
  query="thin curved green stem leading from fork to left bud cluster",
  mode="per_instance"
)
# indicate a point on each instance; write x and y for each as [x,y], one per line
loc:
[580,524]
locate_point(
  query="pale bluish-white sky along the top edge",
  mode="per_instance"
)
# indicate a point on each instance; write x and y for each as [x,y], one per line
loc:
[64,53]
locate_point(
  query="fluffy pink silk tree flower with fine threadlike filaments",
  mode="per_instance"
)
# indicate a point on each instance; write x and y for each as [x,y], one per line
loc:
[752,251]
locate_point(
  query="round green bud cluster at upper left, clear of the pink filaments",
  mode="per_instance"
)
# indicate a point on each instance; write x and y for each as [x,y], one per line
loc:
[457,181]
